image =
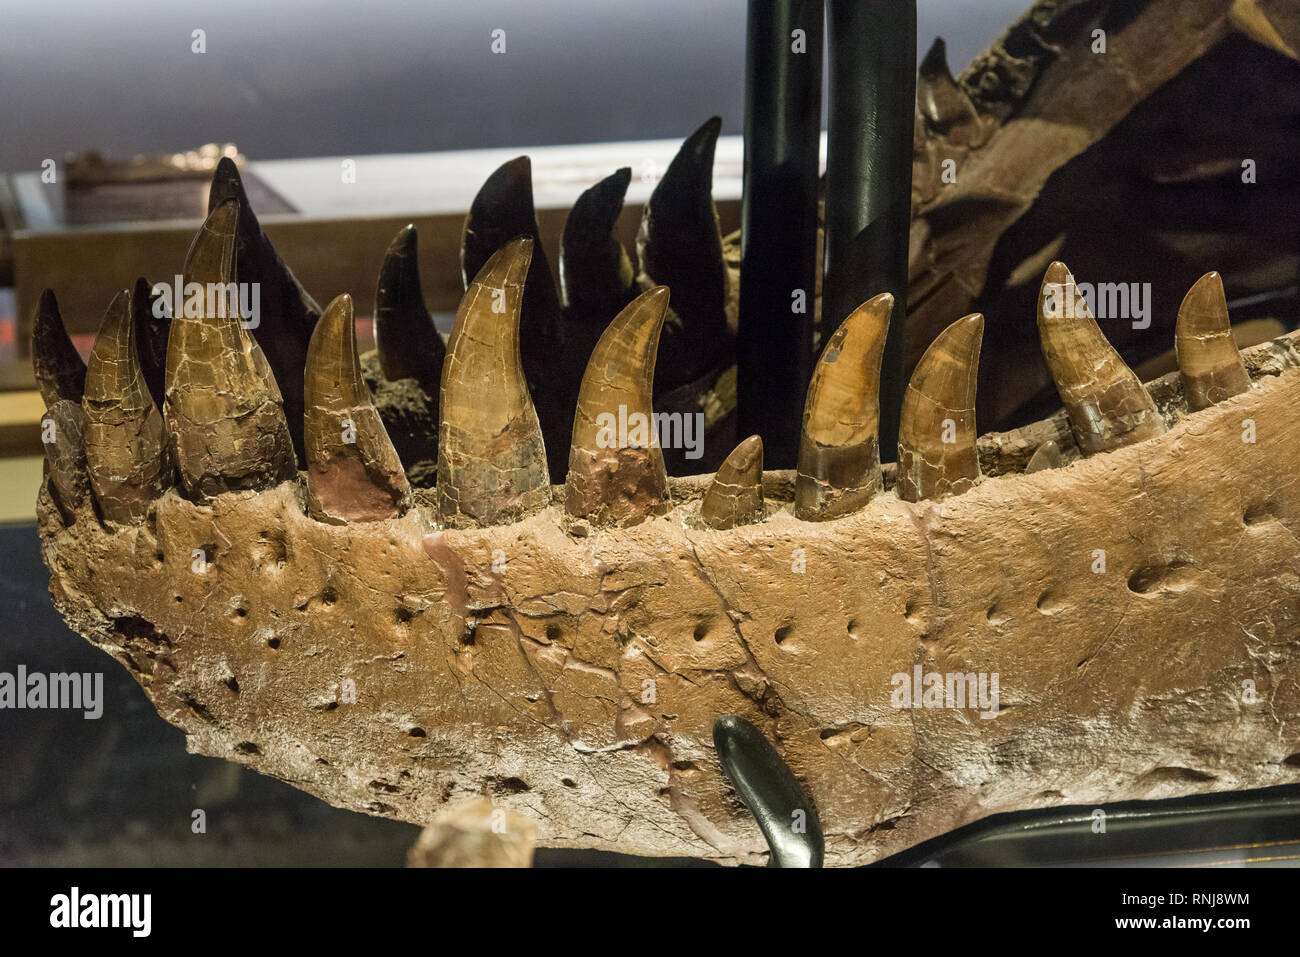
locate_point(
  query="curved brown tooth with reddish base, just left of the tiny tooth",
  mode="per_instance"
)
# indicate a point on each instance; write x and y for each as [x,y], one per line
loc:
[617,474]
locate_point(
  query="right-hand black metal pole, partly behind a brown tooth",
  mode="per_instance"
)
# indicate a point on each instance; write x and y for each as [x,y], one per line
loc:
[873,94]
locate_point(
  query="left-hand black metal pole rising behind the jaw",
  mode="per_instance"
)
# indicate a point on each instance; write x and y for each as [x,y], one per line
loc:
[783,125]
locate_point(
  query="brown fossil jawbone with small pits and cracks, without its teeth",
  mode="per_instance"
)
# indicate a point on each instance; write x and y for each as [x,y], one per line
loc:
[514,660]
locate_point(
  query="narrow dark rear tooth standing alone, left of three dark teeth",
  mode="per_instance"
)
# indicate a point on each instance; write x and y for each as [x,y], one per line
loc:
[408,341]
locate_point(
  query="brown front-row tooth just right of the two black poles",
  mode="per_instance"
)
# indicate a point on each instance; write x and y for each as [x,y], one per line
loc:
[937,431]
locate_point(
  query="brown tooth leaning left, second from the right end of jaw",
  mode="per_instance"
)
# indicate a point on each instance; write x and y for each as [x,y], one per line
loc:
[1107,404]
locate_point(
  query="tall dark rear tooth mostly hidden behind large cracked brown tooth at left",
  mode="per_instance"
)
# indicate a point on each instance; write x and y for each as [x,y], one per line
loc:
[287,313]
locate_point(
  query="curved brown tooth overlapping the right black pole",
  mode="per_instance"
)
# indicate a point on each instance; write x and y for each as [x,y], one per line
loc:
[839,469]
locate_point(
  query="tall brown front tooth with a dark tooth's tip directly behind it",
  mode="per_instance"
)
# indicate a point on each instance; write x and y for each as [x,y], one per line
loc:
[492,461]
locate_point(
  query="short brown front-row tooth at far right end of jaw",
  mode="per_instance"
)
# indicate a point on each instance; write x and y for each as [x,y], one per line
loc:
[1211,366]
